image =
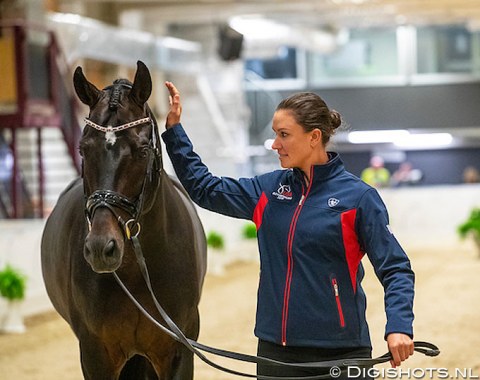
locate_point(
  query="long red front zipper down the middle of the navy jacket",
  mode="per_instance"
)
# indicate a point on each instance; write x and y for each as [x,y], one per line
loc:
[288,279]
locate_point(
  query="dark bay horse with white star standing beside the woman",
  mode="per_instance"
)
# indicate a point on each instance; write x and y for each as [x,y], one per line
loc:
[124,192]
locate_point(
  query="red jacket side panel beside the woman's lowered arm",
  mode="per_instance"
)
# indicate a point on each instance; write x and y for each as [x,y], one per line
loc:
[353,253]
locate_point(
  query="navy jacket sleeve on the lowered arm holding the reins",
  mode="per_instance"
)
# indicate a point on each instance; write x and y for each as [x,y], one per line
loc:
[390,263]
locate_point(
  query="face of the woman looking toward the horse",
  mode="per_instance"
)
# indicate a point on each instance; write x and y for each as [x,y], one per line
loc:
[292,142]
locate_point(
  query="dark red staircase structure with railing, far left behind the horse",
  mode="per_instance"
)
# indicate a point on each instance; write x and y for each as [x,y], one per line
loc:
[37,121]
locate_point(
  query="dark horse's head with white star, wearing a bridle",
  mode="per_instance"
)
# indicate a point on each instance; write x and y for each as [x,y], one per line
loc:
[121,164]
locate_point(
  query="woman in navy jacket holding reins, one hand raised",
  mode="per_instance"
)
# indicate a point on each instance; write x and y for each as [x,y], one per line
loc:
[315,221]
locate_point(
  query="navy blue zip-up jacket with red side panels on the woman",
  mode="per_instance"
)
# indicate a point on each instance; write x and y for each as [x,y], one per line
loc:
[311,241]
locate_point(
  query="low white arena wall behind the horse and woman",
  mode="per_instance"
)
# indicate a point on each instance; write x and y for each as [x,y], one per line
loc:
[423,217]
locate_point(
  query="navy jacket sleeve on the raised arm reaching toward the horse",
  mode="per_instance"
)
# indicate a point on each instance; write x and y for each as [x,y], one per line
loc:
[228,196]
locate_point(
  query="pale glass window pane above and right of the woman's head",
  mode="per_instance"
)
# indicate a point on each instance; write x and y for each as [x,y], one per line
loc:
[371,52]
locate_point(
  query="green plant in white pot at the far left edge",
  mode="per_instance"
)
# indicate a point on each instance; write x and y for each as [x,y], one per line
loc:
[12,288]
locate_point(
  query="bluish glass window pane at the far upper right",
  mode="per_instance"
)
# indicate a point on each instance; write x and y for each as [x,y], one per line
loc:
[444,49]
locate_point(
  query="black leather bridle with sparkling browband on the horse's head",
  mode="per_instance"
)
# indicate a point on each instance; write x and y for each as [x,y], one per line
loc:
[113,200]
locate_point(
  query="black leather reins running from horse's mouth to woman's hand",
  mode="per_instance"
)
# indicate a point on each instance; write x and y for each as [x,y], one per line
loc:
[174,331]
